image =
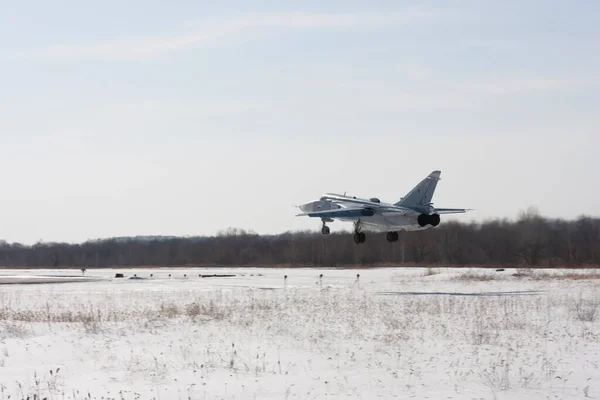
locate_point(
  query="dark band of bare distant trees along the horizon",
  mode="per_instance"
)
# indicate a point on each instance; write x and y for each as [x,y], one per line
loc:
[530,240]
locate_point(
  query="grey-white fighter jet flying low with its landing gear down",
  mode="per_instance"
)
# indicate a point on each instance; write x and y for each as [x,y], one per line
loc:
[415,211]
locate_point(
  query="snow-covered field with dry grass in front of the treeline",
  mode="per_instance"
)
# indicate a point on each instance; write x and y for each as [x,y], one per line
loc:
[391,333]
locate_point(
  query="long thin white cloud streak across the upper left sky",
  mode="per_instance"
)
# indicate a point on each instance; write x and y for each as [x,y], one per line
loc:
[211,31]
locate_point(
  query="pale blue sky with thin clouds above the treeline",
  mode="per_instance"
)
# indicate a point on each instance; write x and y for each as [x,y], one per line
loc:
[185,118]
